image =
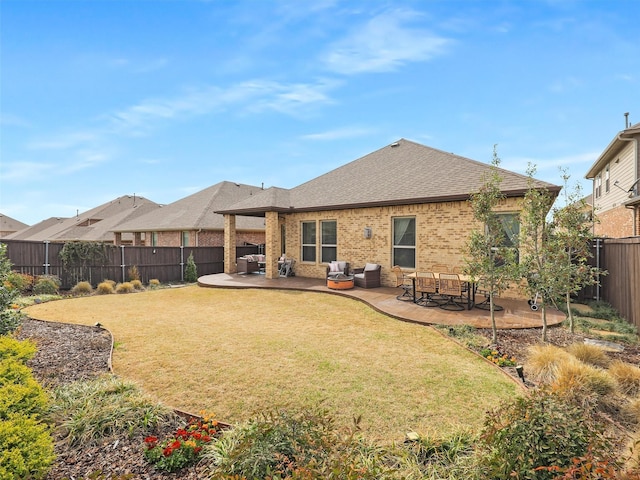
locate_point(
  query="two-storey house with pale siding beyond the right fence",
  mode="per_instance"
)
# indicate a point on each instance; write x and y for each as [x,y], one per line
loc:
[616,186]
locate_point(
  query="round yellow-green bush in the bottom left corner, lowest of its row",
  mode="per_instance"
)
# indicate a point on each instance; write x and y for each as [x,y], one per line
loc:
[26,448]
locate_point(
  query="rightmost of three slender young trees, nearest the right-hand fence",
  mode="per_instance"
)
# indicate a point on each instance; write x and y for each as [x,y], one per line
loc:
[574,232]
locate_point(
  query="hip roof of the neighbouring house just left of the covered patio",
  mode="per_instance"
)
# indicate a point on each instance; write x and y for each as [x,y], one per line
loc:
[197,211]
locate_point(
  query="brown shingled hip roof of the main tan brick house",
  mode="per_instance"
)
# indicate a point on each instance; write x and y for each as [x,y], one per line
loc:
[401,173]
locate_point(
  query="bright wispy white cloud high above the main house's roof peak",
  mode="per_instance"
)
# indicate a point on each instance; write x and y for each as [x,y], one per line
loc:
[384,44]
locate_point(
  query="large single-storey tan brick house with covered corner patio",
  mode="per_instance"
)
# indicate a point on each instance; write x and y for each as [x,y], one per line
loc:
[405,204]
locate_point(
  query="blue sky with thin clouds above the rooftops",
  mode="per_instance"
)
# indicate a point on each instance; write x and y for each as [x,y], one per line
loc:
[161,99]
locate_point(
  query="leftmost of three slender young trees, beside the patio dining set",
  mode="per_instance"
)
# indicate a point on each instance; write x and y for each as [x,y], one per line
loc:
[488,258]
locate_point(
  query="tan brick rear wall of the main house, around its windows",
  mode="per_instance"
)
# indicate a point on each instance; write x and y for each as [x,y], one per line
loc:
[442,231]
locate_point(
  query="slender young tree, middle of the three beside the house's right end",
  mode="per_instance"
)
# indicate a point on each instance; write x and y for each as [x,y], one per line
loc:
[542,253]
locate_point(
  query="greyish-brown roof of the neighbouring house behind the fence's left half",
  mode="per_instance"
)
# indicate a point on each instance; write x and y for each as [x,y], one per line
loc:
[95,225]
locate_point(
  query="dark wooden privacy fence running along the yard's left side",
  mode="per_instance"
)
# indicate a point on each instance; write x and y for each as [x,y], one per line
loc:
[167,264]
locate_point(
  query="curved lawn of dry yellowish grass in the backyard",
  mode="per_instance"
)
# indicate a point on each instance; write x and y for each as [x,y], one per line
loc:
[239,352]
